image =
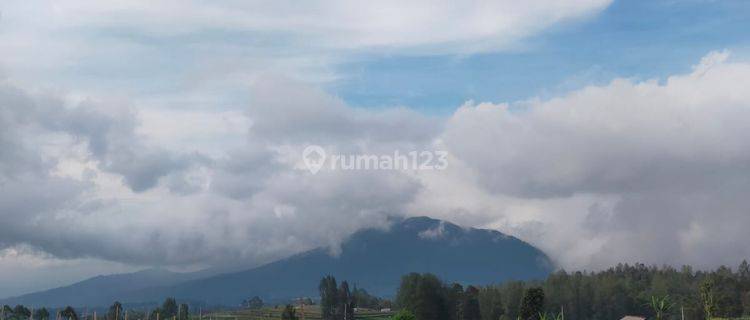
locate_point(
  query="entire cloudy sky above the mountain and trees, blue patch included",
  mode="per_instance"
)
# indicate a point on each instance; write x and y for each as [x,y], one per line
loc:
[141,134]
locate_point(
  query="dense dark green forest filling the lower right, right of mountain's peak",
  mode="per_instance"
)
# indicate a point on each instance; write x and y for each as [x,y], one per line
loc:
[652,292]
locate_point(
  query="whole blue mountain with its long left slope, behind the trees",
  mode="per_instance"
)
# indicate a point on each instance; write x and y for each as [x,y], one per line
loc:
[372,259]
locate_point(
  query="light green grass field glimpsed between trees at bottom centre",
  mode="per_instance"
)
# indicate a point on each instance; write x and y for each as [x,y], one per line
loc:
[306,313]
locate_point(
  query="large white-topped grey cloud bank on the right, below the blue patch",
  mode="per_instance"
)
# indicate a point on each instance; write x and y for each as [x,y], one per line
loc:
[657,169]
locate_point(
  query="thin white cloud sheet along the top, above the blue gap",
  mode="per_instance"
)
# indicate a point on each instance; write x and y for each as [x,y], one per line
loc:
[189,46]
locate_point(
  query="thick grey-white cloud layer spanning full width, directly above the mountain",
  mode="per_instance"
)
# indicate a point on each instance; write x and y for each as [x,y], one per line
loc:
[652,171]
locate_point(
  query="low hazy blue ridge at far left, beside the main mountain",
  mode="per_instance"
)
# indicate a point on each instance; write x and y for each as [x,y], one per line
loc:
[101,291]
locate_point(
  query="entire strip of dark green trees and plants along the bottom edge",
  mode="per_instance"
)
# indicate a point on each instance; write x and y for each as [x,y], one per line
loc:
[657,293]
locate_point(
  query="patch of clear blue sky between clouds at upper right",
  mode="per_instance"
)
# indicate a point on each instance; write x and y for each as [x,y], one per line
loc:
[631,39]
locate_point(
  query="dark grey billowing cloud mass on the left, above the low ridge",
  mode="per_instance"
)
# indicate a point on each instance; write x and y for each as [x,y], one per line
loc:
[115,194]
